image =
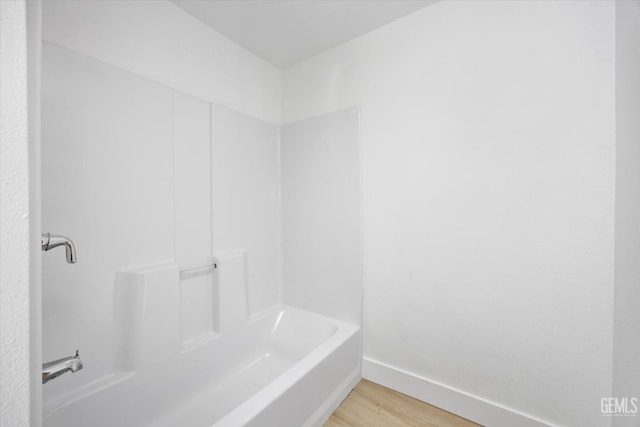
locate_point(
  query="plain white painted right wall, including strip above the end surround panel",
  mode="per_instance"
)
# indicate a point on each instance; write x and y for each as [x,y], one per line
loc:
[488,140]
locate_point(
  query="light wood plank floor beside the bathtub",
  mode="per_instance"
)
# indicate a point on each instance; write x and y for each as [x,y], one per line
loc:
[372,405]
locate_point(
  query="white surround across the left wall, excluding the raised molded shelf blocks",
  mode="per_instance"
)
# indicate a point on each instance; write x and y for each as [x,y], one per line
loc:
[127,174]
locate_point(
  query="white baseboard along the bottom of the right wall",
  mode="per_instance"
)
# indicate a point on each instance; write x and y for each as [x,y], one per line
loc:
[471,407]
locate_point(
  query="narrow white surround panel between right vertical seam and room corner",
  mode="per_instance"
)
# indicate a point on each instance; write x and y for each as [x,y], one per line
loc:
[246,199]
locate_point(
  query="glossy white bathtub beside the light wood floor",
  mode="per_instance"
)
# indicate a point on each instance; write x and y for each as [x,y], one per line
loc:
[285,368]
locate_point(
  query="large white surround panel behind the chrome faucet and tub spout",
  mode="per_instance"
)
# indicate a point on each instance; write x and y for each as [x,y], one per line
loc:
[107,183]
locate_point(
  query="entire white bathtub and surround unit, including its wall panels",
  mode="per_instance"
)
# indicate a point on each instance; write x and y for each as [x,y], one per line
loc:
[174,185]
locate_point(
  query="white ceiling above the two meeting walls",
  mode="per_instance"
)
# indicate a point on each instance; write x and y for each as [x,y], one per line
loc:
[284,32]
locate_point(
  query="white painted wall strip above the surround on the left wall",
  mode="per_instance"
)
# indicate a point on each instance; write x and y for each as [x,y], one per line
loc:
[160,41]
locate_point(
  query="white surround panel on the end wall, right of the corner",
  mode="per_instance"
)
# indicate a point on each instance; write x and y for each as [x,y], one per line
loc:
[321,215]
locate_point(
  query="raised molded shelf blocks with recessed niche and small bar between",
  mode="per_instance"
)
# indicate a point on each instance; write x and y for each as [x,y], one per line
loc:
[164,310]
